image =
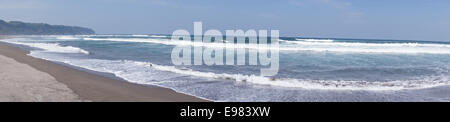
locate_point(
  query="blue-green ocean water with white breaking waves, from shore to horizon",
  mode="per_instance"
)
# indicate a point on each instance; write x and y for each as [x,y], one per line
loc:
[311,69]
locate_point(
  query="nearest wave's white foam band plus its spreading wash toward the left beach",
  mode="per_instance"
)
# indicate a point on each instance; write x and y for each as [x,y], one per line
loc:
[143,73]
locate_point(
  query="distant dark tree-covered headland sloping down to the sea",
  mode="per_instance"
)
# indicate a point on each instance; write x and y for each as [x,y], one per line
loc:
[22,28]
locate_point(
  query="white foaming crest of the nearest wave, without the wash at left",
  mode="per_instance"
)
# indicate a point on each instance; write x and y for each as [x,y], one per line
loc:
[306,84]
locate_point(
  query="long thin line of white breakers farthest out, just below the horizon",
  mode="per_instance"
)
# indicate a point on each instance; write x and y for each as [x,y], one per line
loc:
[344,47]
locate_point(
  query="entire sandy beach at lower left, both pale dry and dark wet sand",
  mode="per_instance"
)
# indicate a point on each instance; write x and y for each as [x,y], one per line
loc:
[27,79]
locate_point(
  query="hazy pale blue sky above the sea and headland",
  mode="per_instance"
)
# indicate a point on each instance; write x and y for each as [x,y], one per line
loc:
[372,19]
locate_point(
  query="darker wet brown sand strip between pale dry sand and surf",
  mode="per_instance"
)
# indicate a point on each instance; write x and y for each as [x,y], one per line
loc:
[92,87]
